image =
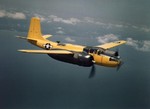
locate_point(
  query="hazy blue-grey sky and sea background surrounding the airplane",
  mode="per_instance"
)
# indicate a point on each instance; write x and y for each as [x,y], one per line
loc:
[37,81]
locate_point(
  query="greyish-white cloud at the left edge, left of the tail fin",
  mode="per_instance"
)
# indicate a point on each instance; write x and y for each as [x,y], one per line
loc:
[13,15]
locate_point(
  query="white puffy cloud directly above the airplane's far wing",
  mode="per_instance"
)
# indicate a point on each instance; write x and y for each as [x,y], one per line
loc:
[107,38]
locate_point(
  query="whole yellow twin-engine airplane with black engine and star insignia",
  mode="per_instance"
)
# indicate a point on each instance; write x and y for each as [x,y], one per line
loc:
[80,55]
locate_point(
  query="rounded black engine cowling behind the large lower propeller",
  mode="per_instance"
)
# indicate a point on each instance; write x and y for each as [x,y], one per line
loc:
[83,59]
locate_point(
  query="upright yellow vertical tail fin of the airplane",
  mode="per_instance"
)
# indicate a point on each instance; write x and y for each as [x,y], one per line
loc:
[34,32]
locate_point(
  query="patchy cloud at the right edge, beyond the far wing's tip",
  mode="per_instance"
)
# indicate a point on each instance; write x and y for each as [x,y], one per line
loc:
[139,45]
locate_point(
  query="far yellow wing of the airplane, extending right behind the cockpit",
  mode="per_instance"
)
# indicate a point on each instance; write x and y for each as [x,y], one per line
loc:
[112,44]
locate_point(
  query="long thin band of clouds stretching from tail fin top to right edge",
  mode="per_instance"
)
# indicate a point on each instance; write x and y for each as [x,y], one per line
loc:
[87,20]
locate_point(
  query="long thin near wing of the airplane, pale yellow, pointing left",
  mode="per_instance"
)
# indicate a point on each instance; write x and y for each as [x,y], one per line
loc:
[46,51]
